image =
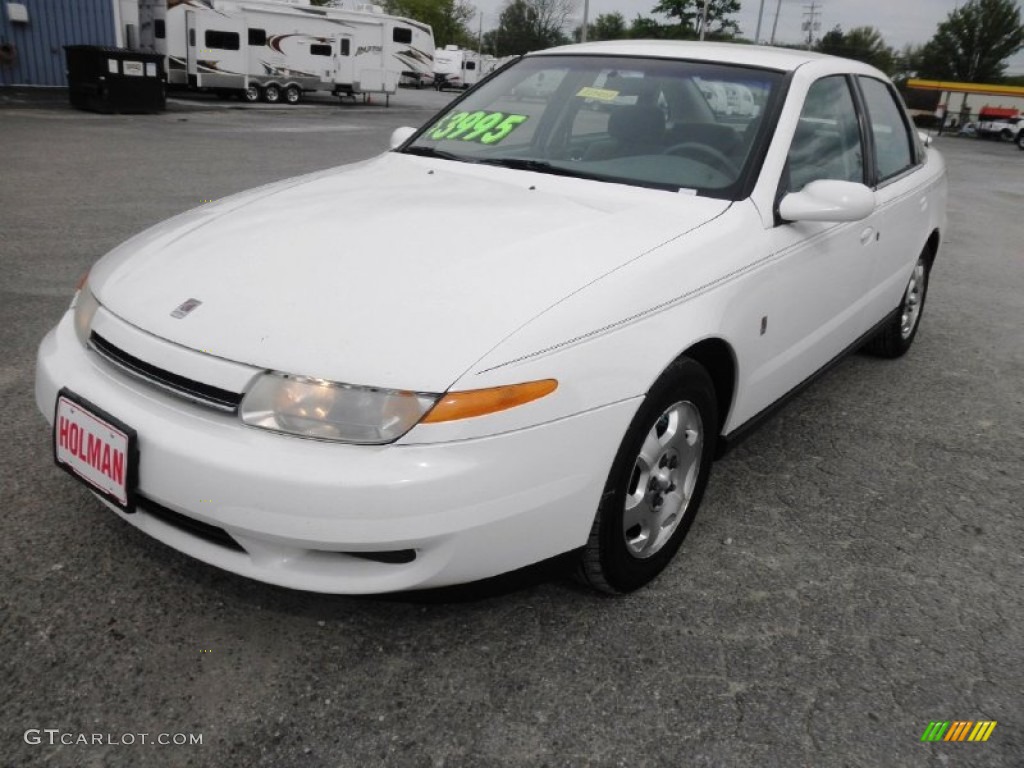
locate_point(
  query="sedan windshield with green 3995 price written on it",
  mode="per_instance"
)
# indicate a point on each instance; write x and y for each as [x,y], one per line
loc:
[651,122]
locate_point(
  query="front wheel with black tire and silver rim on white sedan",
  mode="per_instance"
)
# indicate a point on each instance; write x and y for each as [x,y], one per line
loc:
[680,405]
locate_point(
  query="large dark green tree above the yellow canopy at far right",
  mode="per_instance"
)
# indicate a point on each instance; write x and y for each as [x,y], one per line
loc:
[974,44]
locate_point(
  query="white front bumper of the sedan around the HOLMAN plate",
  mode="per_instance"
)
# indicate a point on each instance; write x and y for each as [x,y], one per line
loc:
[300,509]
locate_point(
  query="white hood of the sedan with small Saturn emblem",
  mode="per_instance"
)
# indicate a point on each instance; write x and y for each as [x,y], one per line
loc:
[401,272]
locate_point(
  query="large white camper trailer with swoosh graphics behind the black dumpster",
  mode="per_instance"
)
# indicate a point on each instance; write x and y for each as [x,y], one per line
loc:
[278,50]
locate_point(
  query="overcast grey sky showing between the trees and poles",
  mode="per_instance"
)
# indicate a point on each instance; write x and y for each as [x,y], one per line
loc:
[902,22]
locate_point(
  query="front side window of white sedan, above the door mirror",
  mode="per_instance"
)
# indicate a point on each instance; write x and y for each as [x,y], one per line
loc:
[827,145]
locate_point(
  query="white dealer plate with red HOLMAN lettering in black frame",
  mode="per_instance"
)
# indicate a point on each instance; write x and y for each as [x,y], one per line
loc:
[96,448]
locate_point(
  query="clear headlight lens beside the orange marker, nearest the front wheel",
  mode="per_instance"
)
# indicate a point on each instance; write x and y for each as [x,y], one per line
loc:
[324,410]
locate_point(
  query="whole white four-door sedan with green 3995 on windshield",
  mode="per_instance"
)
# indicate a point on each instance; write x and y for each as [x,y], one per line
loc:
[527,330]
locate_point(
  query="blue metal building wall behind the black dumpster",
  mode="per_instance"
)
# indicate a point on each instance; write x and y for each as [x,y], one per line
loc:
[33,34]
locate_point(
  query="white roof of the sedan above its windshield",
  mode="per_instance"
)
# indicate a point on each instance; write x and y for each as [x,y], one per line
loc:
[785,60]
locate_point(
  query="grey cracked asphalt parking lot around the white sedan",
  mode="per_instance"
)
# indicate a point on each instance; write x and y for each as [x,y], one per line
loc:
[858,570]
